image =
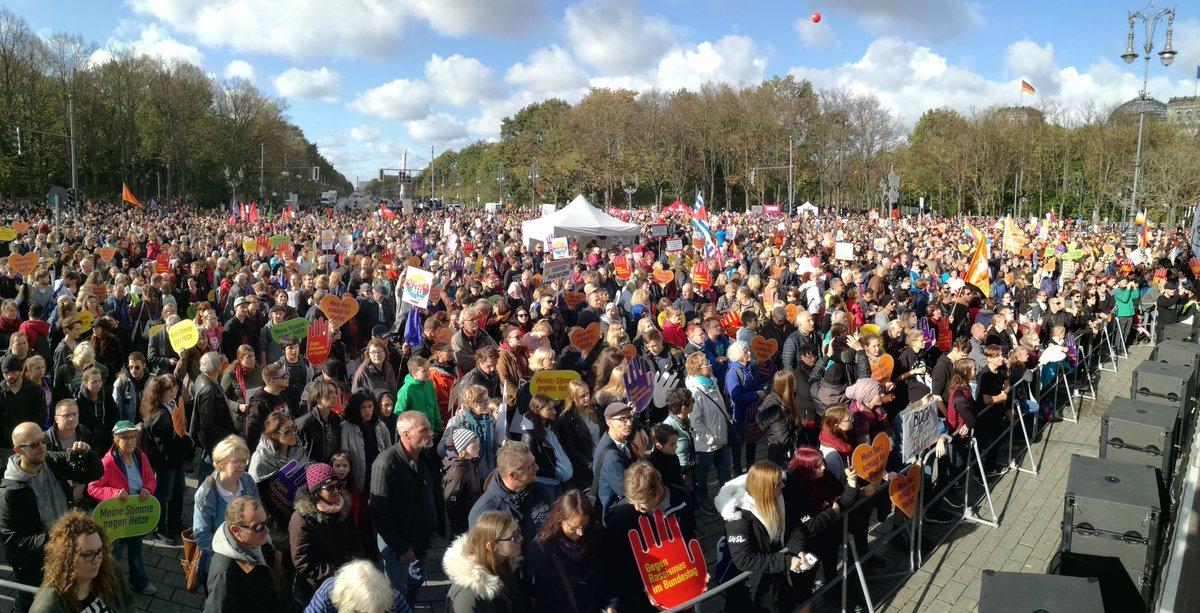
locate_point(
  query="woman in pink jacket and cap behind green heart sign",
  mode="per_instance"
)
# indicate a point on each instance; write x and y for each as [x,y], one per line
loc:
[128,472]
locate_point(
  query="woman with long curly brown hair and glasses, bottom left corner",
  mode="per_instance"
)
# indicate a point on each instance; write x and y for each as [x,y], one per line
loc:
[80,570]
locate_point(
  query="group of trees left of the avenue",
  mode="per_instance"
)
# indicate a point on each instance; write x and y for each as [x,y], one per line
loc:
[158,127]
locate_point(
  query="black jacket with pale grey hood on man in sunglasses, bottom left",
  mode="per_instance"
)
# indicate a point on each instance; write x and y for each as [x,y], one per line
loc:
[239,579]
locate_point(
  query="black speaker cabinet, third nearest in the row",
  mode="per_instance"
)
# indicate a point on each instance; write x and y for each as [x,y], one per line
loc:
[1139,432]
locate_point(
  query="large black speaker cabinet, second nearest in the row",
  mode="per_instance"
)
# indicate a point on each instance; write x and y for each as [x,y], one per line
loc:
[1114,510]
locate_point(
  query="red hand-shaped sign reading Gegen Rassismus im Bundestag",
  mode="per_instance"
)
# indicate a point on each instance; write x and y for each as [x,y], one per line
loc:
[673,570]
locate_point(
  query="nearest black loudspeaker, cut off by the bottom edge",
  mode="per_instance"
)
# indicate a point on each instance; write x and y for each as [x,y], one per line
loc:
[1029,593]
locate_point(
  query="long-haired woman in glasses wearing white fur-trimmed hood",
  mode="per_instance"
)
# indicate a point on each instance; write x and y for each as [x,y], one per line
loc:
[481,566]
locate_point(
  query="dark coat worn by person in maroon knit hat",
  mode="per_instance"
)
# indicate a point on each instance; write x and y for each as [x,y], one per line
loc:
[321,543]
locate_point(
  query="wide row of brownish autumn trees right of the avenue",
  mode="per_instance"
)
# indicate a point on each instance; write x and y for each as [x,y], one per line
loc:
[733,143]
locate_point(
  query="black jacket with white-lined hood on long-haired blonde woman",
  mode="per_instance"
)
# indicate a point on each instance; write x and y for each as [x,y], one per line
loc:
[753,550]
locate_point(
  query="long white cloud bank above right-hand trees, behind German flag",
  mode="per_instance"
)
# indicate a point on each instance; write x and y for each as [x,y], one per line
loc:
[910,80]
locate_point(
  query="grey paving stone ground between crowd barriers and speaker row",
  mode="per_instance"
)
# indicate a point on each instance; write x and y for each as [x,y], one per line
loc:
[1025,542]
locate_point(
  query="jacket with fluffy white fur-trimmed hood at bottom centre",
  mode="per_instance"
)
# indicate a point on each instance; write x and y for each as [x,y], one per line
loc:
[473,590]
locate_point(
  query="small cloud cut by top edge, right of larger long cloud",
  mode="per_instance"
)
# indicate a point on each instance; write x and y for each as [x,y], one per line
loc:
[464,17]
